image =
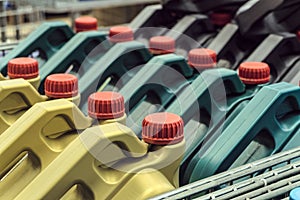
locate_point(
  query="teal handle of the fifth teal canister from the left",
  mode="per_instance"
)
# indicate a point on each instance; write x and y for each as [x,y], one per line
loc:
[202,90]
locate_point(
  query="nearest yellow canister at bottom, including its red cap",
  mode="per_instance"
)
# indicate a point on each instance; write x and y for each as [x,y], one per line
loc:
[110,162]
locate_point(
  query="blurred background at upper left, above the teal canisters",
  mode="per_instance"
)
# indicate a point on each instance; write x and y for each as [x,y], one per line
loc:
[19,17]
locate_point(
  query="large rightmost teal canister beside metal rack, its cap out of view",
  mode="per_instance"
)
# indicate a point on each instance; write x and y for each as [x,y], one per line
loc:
[276,104]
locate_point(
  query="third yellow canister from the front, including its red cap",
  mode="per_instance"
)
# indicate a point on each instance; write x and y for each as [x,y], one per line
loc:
[18,95]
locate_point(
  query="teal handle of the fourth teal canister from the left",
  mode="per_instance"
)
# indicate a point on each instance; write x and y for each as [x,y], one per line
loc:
[160,75]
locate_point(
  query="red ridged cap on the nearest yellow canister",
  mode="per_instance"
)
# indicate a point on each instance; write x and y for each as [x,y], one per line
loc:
[162,128]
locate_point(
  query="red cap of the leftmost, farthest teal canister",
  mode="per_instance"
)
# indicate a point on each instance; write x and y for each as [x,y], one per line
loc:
[86,23]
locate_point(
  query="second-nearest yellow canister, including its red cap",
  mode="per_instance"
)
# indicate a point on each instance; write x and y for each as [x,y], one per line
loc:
[44,131]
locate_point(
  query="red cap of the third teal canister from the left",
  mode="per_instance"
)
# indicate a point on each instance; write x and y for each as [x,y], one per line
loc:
[162,45]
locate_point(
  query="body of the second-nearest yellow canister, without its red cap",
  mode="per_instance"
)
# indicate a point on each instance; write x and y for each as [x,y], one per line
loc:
[43,131]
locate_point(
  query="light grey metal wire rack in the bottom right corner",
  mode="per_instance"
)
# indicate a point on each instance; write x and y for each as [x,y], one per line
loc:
[271,177]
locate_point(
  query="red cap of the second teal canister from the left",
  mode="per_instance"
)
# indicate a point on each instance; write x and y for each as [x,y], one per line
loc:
[120,34]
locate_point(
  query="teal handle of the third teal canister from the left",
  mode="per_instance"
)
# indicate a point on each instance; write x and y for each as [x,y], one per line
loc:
[121,58]
